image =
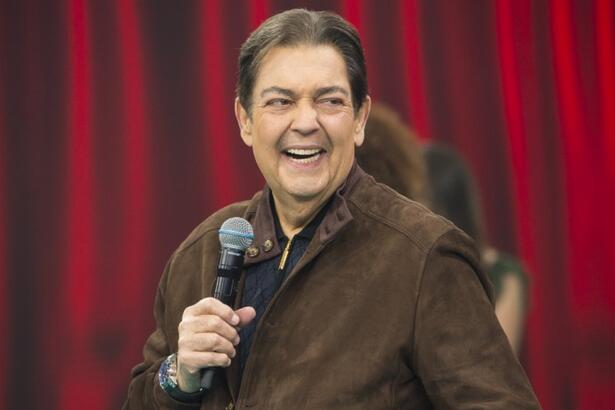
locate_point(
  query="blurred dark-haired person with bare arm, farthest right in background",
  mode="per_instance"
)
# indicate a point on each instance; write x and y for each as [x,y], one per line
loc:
[453,194]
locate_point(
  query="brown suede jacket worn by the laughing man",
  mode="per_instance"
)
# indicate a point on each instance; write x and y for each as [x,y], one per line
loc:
[387,309]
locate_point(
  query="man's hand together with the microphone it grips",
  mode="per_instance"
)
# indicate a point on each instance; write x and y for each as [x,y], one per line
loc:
[208,330]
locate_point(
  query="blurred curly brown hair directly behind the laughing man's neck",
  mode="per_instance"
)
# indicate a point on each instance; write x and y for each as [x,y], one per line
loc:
[391,153]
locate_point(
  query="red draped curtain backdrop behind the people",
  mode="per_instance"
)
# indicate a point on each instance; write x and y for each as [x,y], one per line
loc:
[117,137]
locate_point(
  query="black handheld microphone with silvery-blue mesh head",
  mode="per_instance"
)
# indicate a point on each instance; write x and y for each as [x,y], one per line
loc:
[236,235]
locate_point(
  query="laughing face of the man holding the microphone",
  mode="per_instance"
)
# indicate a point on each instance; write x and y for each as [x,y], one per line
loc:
[303,129]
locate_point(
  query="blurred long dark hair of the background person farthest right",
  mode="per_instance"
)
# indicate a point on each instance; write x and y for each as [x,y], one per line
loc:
[453,190]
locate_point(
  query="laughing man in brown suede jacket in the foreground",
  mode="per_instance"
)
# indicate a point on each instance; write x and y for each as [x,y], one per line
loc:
[352,296]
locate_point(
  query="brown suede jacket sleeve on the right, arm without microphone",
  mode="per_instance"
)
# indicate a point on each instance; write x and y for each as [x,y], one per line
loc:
[460,351]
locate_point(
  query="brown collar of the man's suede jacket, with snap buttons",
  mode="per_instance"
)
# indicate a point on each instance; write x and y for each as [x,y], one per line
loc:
[259,214]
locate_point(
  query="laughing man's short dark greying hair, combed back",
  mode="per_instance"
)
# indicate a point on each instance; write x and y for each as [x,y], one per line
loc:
[297,27]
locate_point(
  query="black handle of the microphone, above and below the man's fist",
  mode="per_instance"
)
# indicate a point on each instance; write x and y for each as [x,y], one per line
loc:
[229,270]
